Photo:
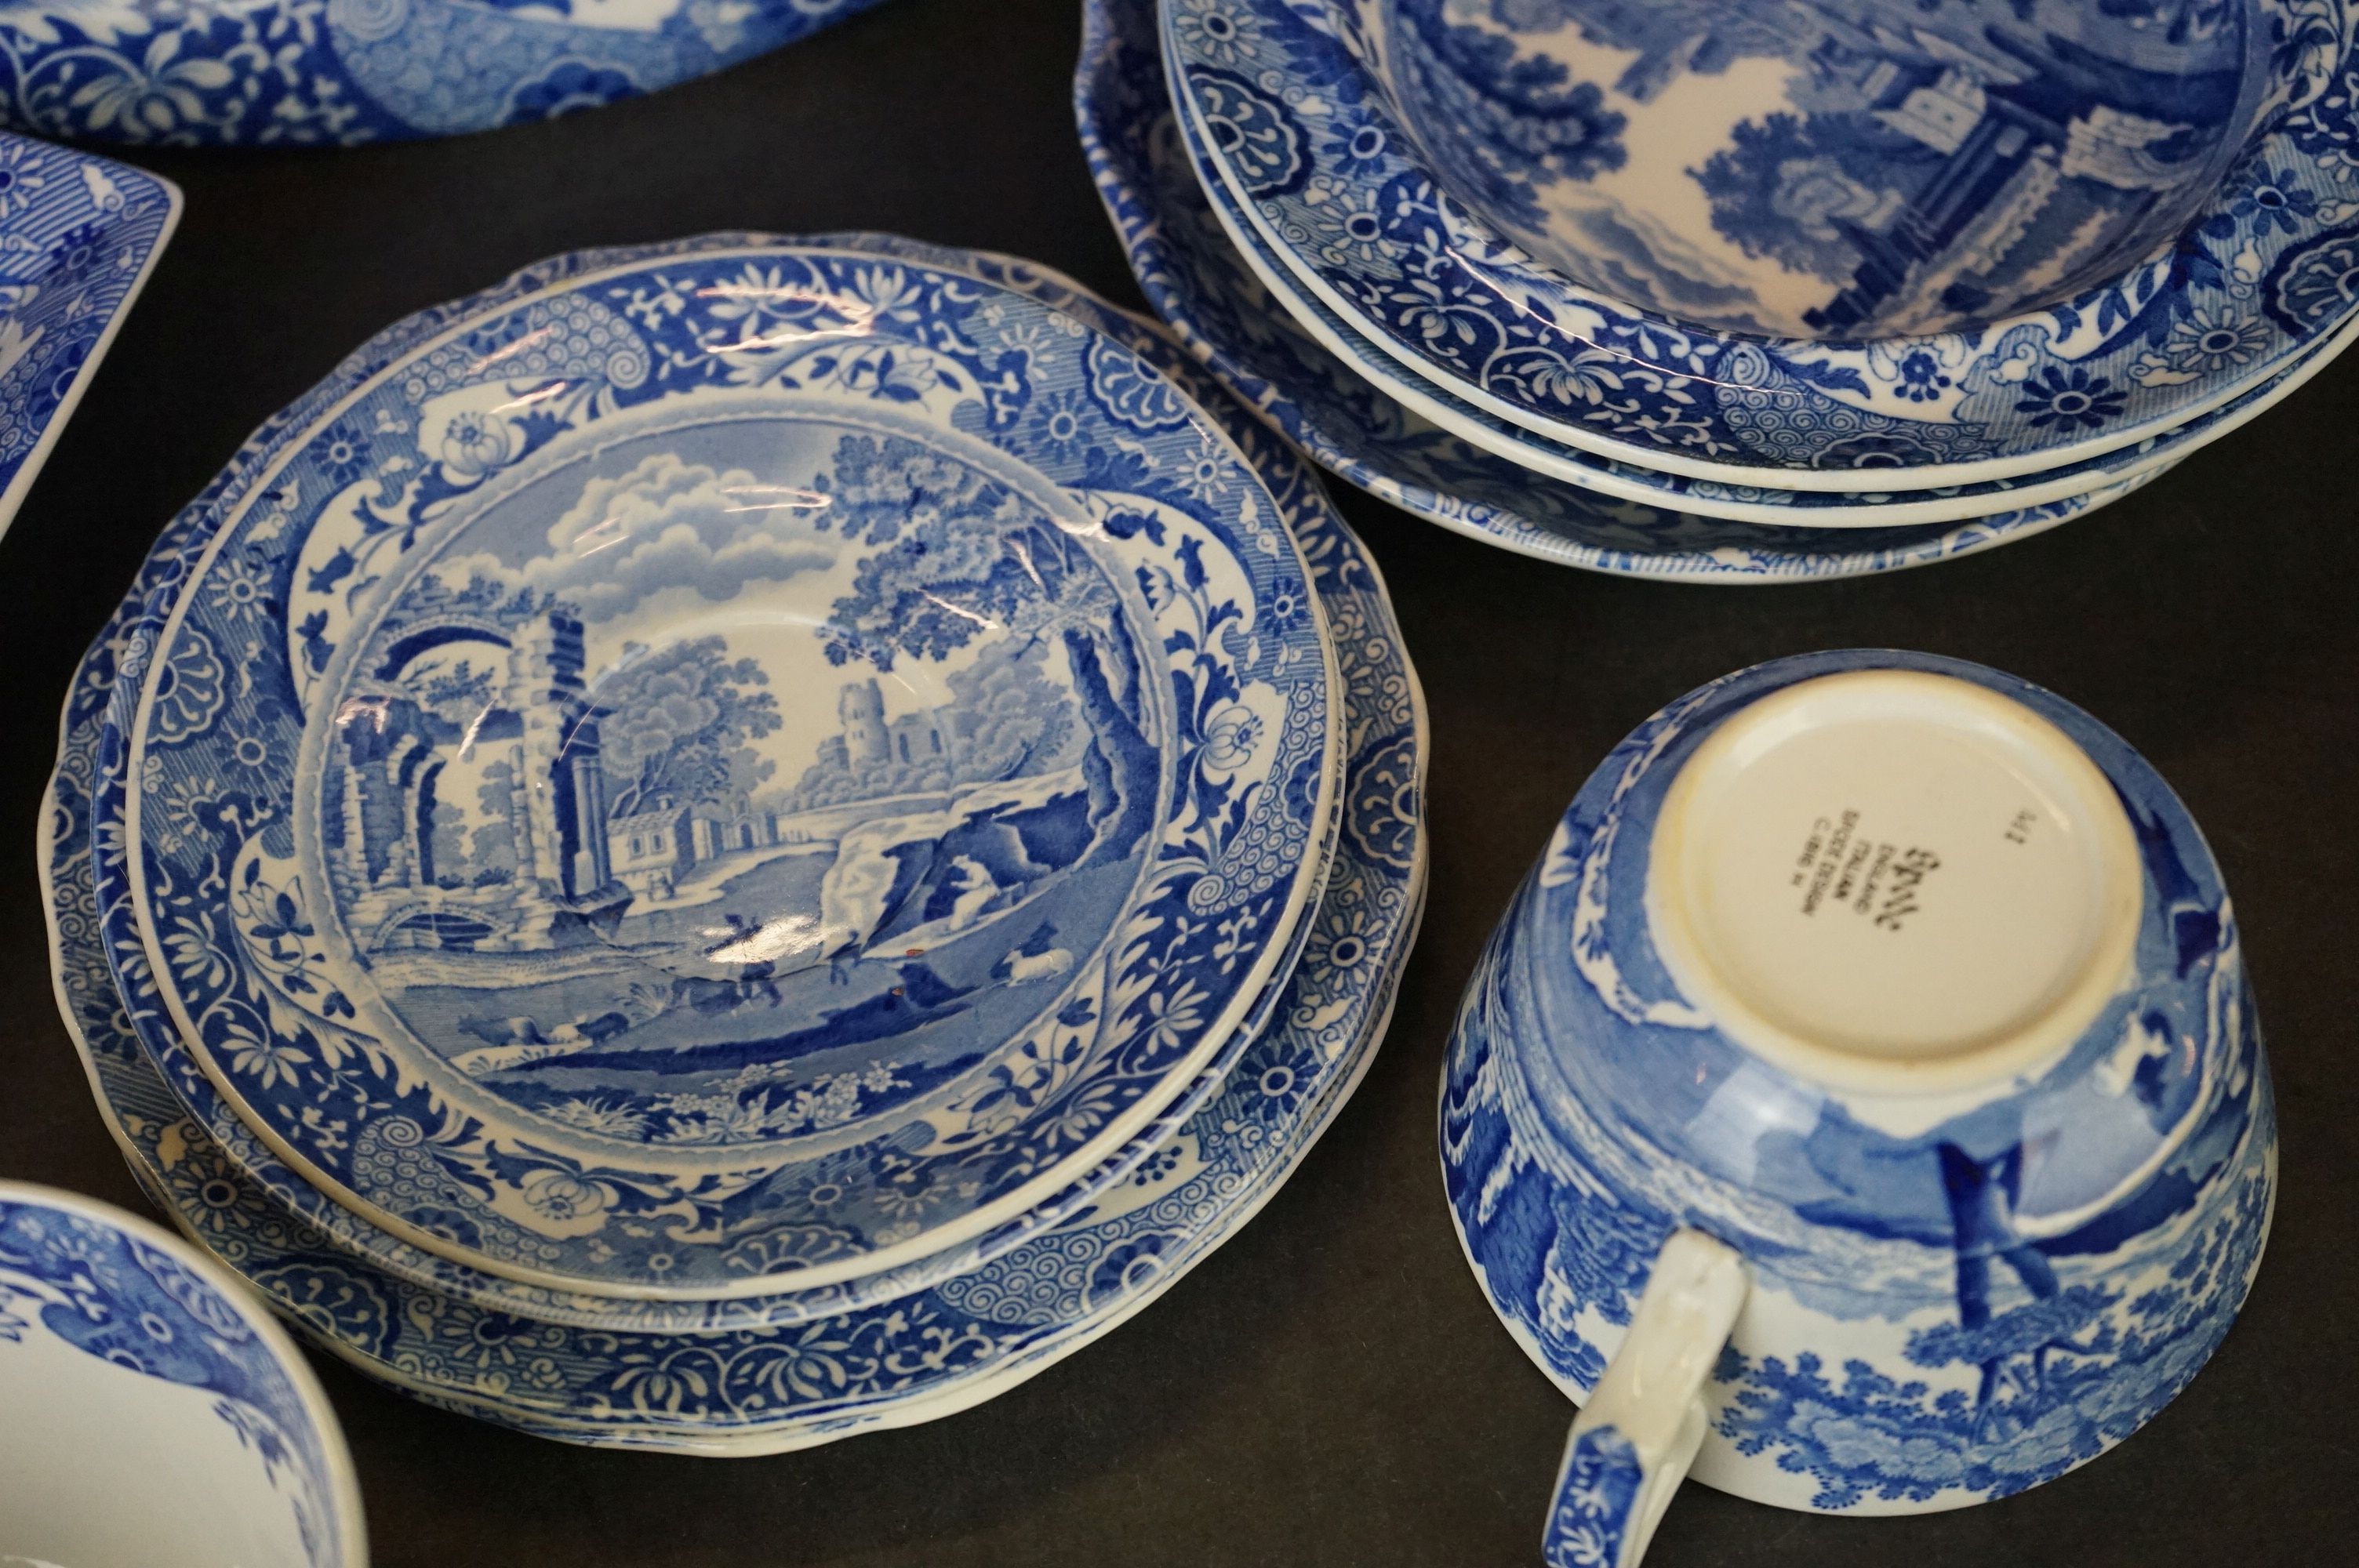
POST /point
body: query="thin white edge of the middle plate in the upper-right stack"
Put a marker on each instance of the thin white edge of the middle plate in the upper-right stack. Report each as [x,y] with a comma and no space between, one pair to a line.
[1709,499]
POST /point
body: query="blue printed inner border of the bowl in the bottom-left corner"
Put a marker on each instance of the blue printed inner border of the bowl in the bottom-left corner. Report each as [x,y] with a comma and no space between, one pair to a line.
[126,1300]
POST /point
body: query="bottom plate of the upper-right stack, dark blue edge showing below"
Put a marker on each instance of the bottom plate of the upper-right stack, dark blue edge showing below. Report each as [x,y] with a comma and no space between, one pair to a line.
[1226,315]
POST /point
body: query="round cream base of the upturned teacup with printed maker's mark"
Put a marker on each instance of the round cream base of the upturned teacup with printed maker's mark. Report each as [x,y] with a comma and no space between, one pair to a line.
[1895,881]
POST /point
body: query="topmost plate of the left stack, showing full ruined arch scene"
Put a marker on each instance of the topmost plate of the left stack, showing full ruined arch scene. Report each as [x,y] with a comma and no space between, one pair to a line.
[850,1003]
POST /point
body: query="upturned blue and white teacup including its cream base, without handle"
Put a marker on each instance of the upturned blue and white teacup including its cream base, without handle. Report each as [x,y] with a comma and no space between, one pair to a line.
[1917,991]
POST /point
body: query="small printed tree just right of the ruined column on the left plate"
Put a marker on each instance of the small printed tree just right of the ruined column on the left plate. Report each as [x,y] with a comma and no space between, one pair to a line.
[676,725]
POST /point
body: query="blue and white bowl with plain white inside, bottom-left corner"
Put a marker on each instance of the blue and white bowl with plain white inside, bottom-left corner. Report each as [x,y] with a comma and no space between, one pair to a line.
[155,1414]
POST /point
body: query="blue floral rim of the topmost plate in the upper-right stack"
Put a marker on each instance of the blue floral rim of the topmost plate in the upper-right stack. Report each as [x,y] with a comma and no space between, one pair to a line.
[1332,185]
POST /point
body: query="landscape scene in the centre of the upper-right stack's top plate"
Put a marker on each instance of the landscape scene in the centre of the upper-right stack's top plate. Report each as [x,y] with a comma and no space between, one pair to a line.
[1862,169]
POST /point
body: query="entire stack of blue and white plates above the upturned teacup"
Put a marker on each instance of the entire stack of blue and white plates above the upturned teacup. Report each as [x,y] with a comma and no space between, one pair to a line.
[1740,291]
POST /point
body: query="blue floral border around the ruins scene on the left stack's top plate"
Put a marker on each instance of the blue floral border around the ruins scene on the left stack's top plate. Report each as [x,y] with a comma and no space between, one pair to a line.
[636,338]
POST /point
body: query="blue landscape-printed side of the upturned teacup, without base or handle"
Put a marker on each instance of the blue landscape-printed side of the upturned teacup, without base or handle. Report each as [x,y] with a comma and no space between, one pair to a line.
[2028,1282]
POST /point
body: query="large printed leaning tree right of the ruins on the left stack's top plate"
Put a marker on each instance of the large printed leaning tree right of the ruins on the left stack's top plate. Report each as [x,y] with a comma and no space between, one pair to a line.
[959,555]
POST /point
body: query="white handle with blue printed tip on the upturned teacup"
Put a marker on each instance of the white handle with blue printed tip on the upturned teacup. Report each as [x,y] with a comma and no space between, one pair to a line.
[1645,1418]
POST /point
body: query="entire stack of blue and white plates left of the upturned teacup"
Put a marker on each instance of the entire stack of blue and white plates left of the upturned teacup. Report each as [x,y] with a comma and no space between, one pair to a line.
[737,841]
